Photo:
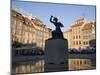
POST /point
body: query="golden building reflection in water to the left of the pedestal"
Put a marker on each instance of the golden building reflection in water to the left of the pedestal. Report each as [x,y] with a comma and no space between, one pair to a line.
[30,67]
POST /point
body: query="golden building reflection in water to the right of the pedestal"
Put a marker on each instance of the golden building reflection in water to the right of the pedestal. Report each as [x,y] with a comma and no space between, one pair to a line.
[79,64]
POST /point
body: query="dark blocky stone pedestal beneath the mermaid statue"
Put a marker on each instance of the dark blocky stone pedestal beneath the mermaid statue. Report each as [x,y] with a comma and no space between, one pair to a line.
[56,55]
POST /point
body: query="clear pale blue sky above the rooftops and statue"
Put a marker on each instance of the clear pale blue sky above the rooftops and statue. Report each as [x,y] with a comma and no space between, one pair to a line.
[66,13]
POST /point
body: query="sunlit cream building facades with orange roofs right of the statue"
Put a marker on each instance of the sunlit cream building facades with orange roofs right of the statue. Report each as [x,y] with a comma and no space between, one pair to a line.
[80,34]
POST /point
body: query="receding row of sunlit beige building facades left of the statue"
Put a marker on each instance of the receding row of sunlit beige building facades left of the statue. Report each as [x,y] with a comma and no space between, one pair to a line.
[28,29]
